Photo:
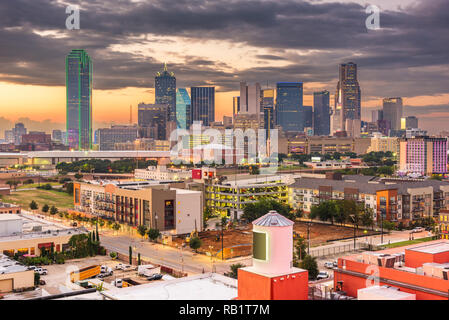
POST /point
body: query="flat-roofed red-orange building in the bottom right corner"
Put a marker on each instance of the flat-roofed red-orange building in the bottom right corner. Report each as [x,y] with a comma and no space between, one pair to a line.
[420,269]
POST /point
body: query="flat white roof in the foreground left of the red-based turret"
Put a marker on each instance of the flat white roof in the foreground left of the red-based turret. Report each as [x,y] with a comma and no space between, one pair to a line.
[207,286]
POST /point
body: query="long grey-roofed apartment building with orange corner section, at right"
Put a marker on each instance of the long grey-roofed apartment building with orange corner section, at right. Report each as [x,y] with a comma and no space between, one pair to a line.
[397,201]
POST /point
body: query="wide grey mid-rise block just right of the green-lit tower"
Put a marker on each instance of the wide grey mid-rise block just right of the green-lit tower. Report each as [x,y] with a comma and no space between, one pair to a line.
[108,137]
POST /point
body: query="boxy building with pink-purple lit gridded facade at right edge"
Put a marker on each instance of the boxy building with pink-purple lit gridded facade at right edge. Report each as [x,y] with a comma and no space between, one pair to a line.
[423,155]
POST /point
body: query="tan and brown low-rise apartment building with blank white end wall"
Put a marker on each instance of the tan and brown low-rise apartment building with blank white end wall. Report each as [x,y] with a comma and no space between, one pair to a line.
[159,206]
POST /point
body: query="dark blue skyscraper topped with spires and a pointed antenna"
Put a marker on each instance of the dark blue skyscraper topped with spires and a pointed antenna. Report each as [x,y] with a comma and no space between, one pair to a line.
[165,91]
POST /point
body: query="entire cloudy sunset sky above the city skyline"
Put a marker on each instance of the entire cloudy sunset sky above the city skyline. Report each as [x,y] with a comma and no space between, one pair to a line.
[221,43]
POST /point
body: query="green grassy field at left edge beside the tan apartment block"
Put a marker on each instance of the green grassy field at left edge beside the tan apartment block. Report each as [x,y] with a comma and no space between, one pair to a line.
[61,200]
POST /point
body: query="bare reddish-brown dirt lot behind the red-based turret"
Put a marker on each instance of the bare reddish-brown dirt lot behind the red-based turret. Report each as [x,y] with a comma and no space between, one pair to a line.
[319,234]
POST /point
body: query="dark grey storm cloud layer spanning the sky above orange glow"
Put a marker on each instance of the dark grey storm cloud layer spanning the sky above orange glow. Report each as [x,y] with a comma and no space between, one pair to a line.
[407,57]
